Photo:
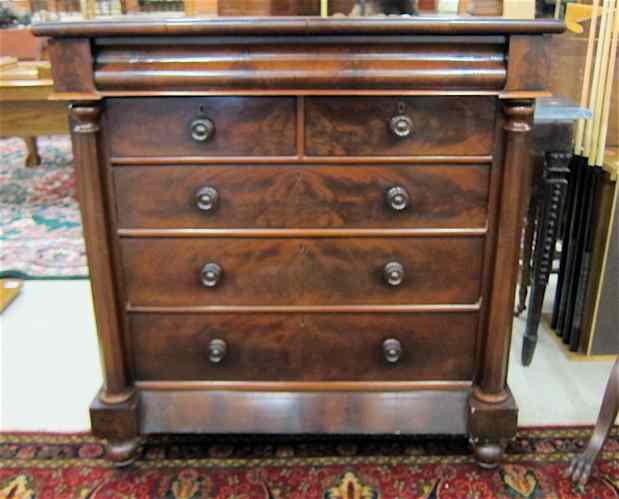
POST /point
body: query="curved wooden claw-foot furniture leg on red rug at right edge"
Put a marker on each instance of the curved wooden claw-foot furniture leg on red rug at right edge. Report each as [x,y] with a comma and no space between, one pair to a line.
[580,468]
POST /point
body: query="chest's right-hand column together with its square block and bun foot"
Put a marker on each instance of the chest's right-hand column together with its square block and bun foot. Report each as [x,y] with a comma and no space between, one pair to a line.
[493,415]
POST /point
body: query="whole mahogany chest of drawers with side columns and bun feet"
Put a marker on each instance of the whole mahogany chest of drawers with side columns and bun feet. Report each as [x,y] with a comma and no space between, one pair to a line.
[303,225]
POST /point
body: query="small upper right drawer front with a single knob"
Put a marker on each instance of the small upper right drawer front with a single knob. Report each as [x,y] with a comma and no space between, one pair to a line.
[392,126]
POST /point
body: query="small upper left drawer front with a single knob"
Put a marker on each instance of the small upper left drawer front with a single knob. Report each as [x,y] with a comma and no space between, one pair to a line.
[173,126]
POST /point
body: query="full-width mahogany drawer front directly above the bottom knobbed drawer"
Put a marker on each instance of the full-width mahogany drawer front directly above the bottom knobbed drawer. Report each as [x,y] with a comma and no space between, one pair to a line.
[323,271]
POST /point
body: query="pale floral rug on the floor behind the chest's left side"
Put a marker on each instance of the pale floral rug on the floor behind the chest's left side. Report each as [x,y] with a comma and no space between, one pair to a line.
[40,228]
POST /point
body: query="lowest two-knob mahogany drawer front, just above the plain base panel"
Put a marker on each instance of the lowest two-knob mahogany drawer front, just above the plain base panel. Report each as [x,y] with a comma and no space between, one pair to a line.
[283,347]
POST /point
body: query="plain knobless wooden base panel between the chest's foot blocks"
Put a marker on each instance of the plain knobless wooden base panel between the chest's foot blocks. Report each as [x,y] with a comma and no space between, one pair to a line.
[418,411]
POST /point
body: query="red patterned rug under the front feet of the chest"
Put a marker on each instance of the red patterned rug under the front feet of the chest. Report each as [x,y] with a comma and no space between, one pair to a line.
[192,467]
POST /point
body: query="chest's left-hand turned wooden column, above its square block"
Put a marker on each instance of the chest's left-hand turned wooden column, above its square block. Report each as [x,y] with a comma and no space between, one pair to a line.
[90,173]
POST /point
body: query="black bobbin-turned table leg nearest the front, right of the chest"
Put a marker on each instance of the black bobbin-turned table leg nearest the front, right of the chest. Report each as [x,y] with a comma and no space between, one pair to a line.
[554,189]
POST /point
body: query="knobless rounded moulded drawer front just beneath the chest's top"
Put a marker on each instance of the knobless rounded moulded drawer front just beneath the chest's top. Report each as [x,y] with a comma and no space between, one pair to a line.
[277,63]
